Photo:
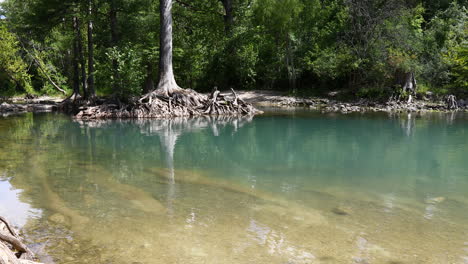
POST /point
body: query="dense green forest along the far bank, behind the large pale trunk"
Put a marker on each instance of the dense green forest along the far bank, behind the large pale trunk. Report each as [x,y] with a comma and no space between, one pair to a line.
[367,48]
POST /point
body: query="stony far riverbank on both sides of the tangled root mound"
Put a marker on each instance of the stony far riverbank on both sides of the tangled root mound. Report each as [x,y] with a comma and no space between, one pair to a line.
[270,98]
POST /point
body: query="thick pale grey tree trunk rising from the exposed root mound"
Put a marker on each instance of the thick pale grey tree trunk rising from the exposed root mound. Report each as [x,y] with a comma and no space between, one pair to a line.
[167,84]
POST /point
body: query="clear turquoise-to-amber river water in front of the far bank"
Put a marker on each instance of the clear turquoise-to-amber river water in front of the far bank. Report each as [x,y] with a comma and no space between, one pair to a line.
[284,187]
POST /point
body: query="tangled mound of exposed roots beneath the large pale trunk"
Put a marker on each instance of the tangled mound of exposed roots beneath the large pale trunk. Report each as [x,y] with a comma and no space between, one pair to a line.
[156,104]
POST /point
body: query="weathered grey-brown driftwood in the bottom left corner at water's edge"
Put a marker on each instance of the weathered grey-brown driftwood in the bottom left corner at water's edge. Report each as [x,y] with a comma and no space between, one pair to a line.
[11,242]
